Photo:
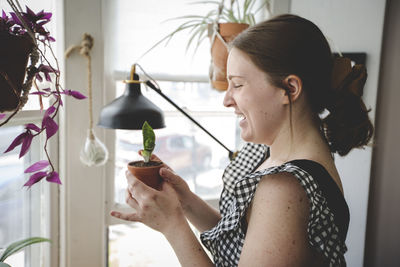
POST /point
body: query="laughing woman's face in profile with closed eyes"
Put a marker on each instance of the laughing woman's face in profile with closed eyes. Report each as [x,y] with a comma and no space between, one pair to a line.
[259,105]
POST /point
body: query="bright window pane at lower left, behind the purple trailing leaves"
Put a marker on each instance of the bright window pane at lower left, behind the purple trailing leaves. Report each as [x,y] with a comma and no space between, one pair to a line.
[24,213]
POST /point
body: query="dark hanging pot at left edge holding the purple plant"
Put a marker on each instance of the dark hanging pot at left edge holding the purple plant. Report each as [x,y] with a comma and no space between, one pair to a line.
[14,55]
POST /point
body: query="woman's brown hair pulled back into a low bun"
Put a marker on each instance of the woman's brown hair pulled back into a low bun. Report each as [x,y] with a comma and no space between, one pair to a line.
[289,44]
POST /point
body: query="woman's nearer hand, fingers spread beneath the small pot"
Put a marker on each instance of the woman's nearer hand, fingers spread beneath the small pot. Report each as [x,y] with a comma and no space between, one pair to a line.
[160,210]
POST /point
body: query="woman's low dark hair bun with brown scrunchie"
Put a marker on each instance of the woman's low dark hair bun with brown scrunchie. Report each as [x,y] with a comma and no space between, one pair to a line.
[348,125]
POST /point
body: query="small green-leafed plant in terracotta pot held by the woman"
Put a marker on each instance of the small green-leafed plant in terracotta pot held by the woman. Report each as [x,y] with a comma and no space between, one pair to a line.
[147,170]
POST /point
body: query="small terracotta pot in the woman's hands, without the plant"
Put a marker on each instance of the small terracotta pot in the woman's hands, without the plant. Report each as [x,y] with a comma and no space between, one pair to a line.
[149,175]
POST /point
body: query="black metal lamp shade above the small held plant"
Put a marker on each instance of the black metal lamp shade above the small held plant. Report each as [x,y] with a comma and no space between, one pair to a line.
[131,110]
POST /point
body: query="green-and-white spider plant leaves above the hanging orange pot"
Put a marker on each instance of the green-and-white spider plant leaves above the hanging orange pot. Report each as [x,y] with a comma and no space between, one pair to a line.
[236,11]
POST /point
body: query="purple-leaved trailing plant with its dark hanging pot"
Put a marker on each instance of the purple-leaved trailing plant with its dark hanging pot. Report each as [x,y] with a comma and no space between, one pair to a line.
[24,64]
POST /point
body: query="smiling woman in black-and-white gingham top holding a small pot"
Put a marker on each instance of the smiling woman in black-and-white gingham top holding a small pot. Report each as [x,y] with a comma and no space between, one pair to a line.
[282,202]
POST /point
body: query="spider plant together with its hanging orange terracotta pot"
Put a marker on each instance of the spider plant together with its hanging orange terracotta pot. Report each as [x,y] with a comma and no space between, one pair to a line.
[221,25]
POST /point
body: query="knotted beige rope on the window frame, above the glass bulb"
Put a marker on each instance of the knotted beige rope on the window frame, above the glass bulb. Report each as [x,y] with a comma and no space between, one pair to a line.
[84,49]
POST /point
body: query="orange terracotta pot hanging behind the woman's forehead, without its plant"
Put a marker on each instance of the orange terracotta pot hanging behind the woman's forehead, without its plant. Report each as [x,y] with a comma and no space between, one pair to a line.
[219,52]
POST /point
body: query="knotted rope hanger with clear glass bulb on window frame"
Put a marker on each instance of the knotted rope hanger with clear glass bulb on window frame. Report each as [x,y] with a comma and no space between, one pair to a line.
[94,152]
